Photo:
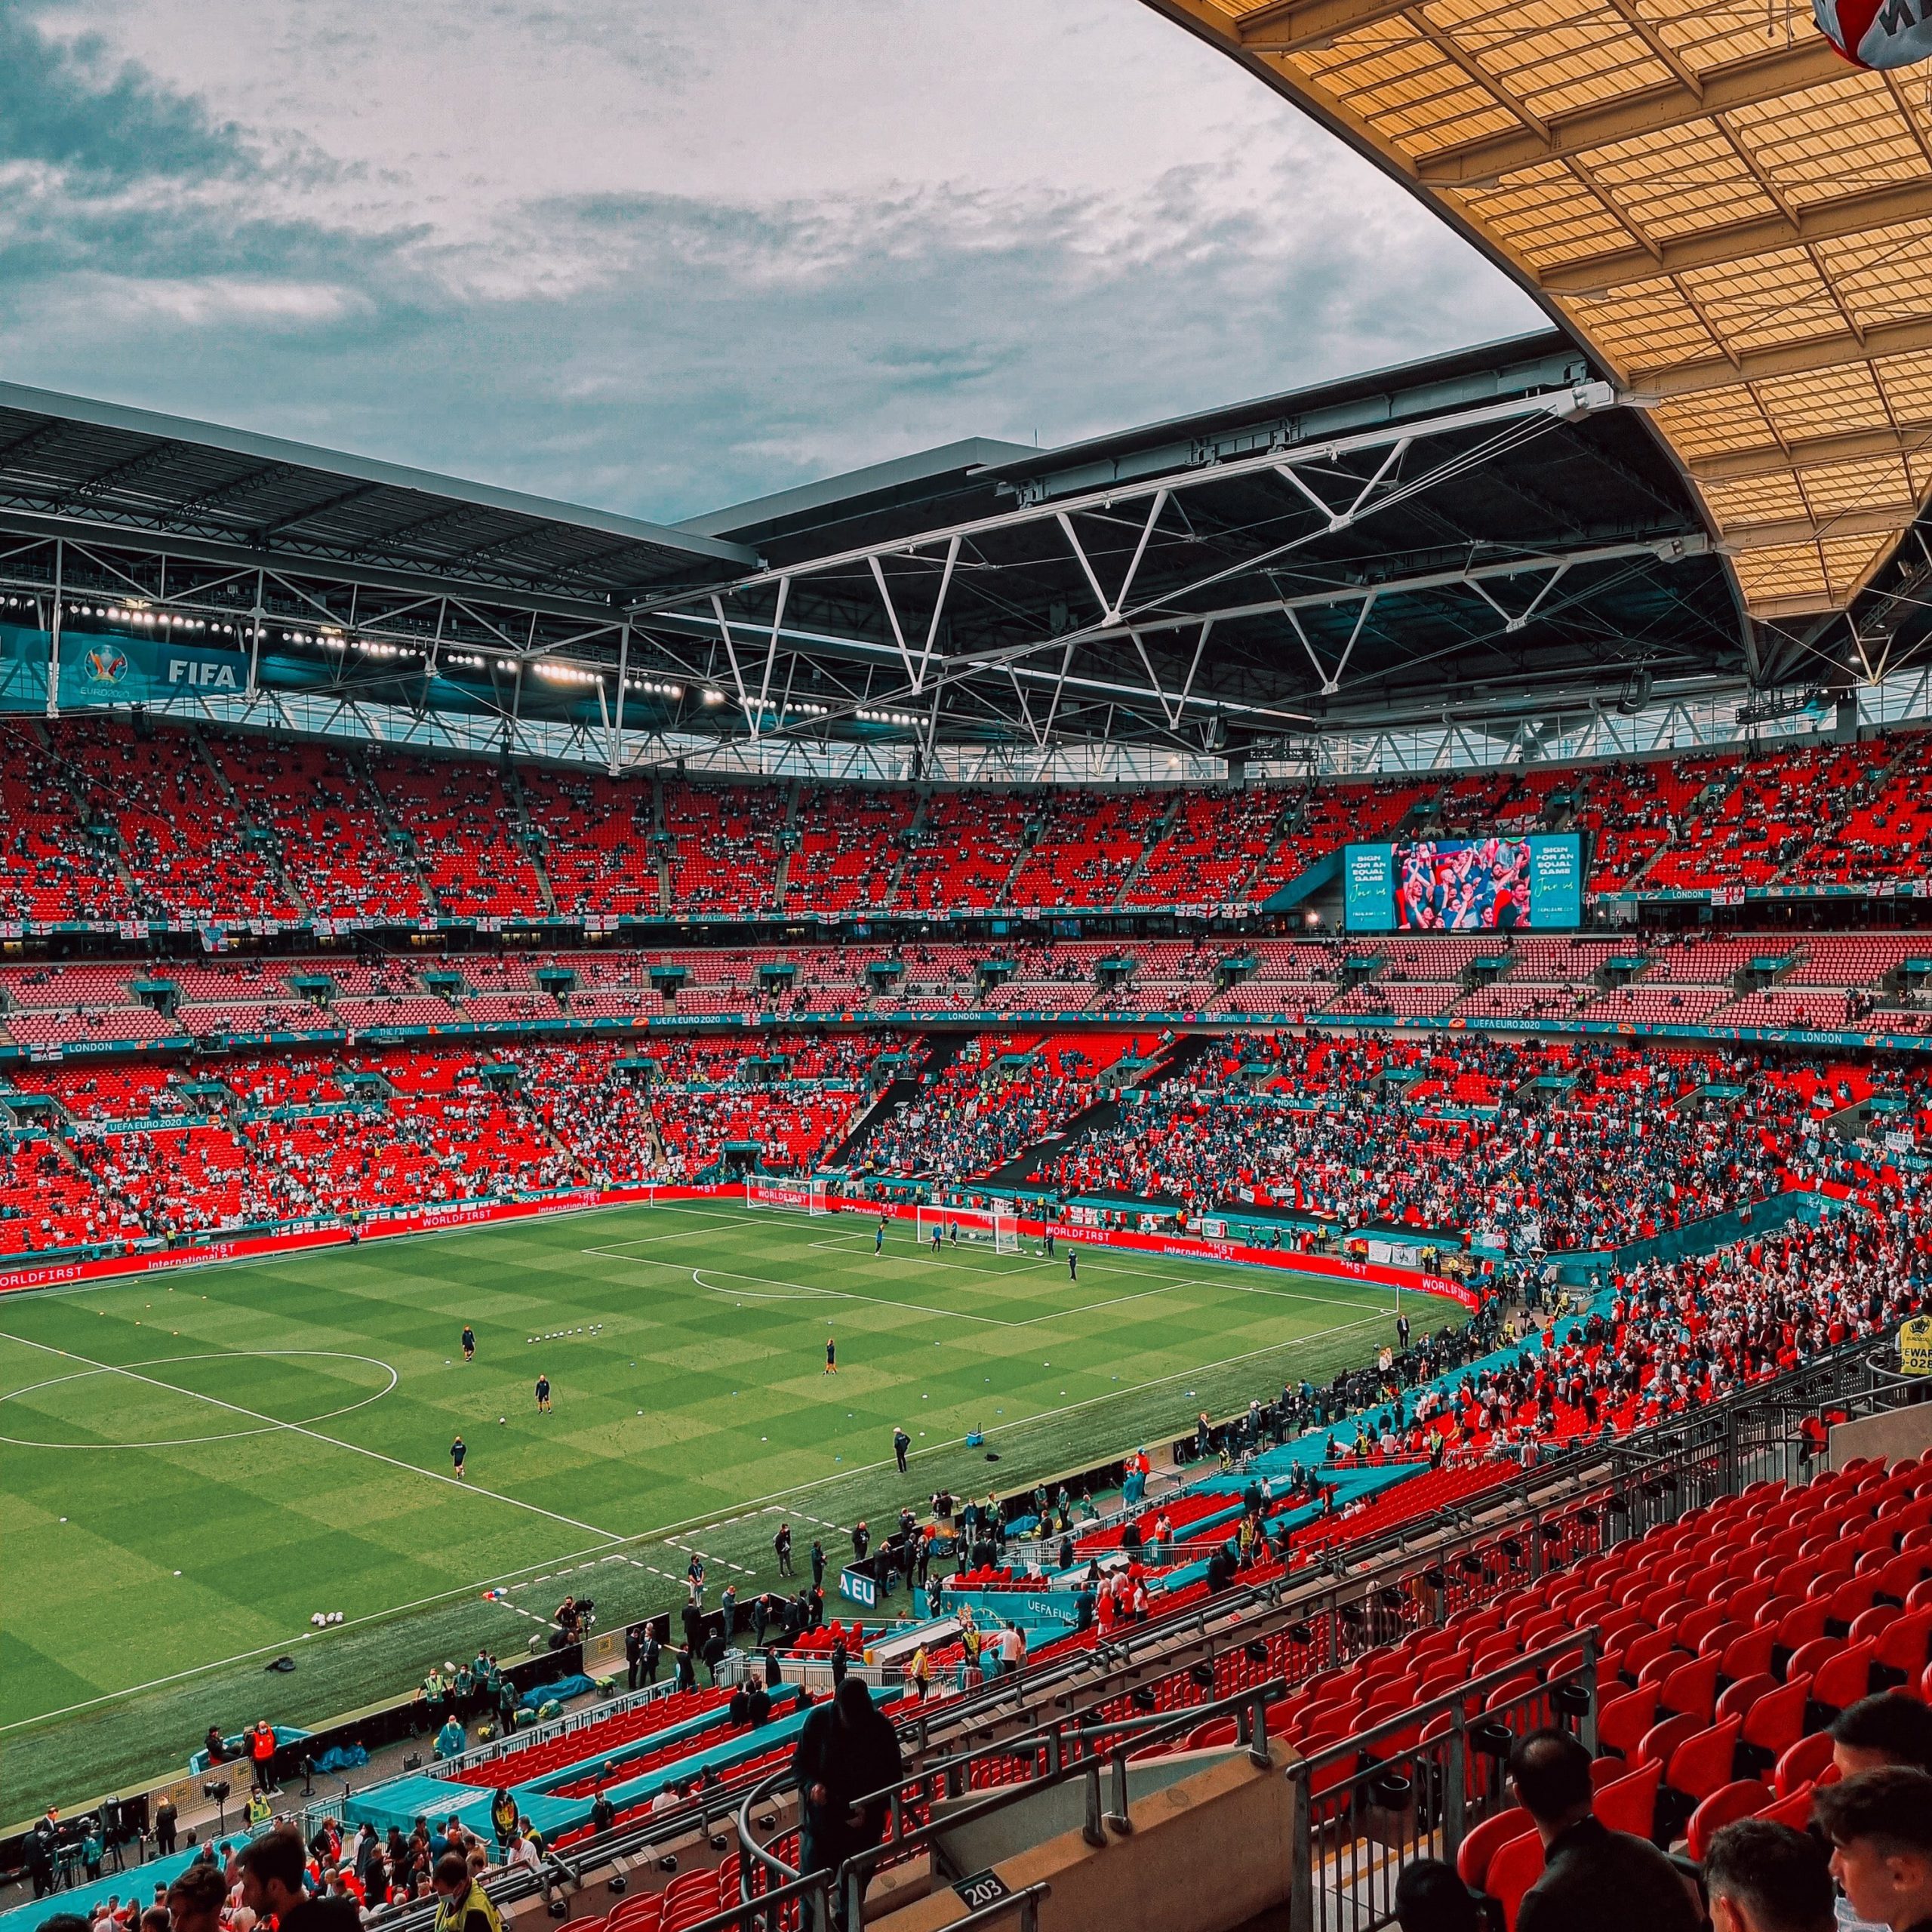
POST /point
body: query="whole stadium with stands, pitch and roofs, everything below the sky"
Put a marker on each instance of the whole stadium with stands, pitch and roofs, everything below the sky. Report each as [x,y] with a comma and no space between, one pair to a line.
[1228,1116]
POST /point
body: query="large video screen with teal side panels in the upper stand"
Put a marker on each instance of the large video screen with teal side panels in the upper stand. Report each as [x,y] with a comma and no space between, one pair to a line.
[1465,886]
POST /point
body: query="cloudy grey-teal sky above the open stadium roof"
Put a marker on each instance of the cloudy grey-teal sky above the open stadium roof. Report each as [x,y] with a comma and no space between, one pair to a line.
[666,258]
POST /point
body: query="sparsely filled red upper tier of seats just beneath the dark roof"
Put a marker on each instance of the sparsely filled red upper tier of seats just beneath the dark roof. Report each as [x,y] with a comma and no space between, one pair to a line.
[107,822]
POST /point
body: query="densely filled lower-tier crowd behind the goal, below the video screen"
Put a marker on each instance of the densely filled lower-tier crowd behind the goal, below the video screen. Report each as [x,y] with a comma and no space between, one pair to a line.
[1512,1143]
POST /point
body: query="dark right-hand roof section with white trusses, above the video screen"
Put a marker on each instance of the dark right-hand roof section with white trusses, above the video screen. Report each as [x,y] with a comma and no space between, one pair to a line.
[1489,532]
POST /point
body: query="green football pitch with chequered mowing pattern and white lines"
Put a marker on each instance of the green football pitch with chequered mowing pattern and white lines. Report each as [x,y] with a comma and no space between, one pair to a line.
[196,1463]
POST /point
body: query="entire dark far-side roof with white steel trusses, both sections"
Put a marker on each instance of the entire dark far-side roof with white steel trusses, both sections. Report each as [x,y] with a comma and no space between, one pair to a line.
[1487,536]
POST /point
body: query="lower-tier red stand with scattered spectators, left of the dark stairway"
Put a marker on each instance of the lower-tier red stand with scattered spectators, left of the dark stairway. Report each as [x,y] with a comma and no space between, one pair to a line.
[148,1152]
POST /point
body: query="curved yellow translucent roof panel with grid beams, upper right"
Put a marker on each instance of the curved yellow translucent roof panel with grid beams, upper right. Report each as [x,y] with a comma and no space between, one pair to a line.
[1734,219]
